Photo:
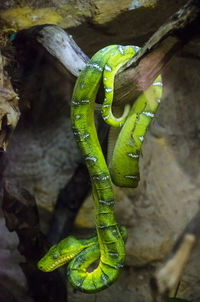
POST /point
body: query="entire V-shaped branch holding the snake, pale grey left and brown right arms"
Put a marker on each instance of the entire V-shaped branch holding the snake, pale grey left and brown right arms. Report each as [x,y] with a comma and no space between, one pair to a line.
[139,73]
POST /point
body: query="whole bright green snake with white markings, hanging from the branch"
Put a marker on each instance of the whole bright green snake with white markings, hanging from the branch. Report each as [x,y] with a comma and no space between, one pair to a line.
[107,245]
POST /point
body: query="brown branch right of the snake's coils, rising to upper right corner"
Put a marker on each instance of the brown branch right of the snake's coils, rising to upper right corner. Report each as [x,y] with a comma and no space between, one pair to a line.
[140,72]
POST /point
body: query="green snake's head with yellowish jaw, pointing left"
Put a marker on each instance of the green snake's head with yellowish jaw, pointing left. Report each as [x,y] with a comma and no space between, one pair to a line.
[60,254]
